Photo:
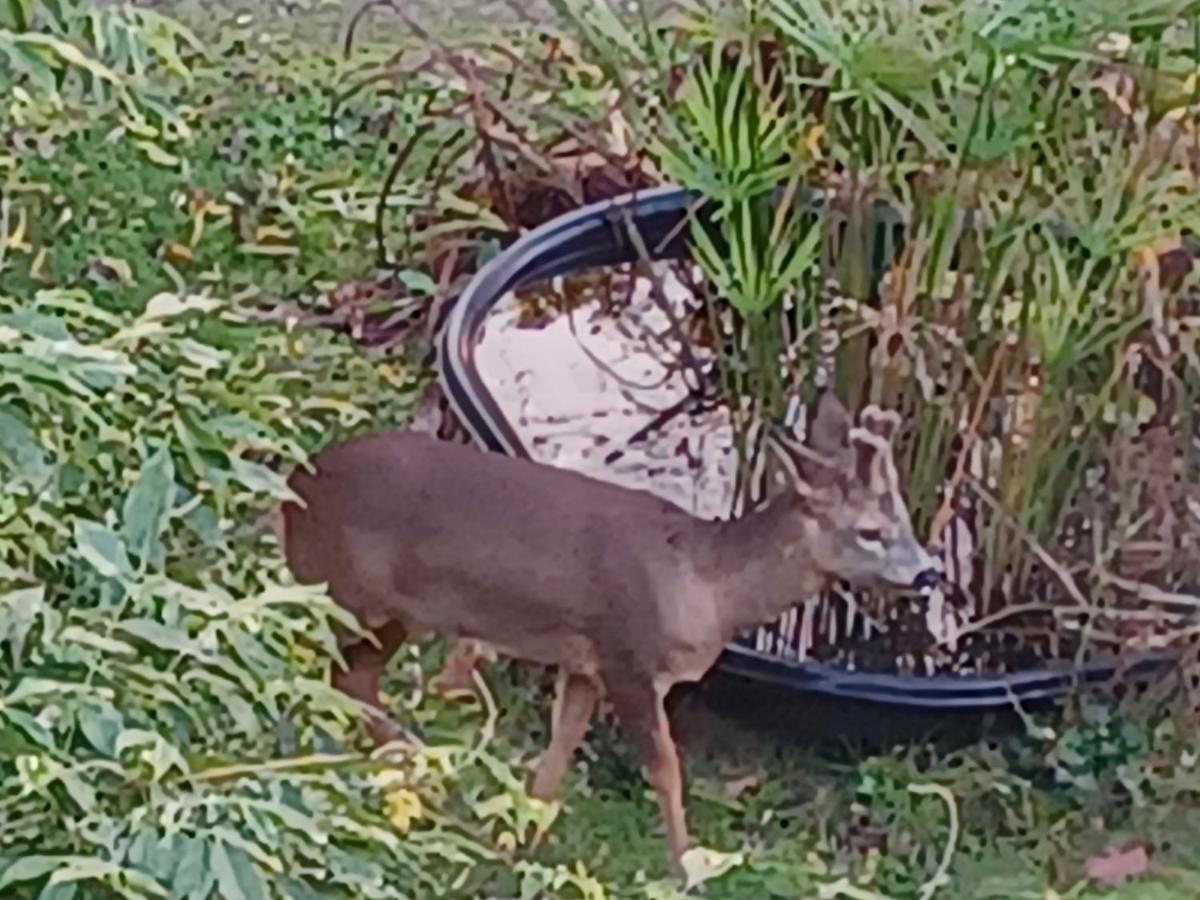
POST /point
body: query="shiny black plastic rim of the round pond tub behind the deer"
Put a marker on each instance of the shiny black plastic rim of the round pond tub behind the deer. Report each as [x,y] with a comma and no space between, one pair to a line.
[599,236]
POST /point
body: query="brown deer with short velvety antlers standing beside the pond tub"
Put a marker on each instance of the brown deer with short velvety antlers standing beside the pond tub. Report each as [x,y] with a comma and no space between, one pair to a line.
[625,593]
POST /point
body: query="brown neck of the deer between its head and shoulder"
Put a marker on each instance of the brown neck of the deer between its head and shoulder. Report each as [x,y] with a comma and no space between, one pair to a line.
[764,565]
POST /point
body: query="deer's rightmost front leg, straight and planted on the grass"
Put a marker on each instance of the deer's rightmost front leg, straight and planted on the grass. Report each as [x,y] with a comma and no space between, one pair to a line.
[645,721]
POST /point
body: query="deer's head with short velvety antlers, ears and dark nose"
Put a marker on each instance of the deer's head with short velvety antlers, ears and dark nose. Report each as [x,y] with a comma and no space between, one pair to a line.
[847,481]
